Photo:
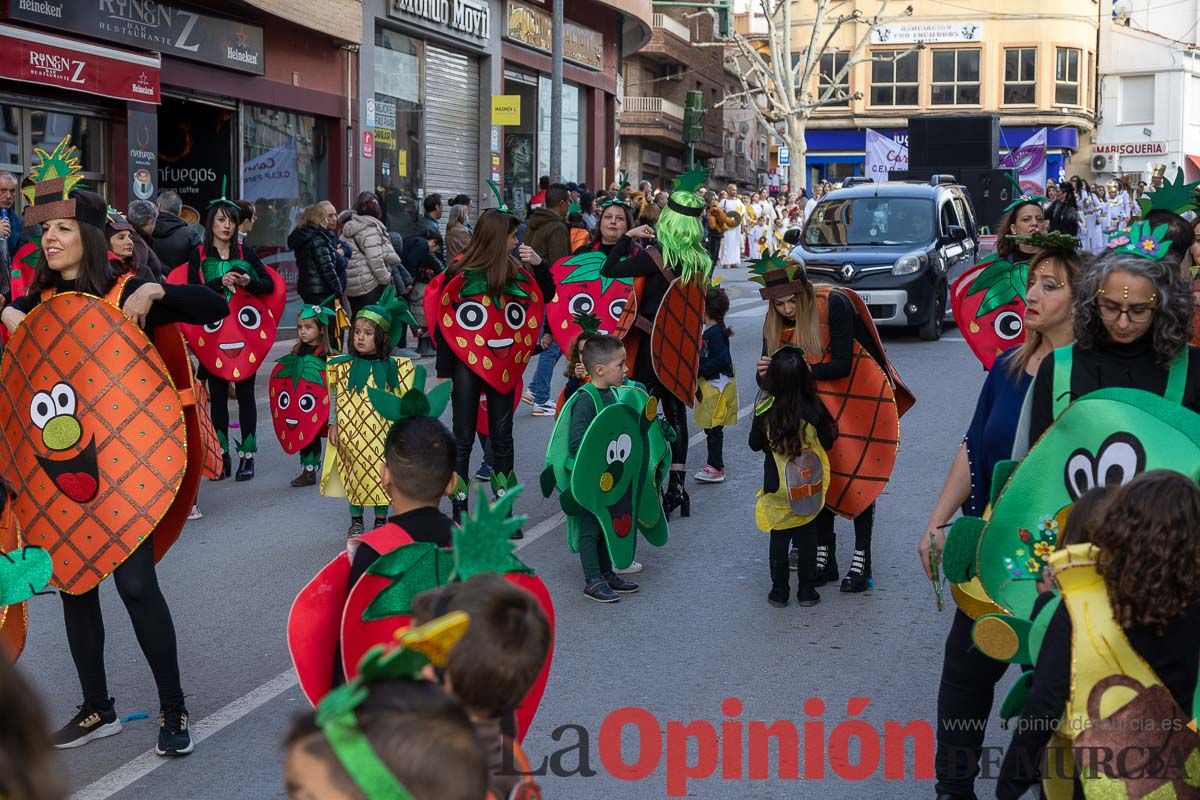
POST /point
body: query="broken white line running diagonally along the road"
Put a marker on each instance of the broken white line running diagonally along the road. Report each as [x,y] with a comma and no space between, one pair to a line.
[148,762]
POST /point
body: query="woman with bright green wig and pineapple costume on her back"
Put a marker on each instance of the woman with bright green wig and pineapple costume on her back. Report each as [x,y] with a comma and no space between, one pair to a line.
[663,338]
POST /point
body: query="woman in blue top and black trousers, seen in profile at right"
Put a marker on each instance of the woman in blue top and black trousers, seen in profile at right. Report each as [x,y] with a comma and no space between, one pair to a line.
[969,678]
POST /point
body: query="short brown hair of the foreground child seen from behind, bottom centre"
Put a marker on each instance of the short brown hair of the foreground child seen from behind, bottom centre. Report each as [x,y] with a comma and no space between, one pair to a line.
[500,658]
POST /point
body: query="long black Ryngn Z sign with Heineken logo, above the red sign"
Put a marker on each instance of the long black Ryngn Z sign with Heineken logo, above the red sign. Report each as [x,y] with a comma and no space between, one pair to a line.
[153,26]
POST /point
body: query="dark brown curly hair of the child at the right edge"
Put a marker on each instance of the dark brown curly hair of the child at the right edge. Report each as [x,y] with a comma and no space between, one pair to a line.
[1150,554]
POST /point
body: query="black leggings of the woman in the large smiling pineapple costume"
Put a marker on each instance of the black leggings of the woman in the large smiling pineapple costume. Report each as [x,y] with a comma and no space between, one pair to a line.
[139,587]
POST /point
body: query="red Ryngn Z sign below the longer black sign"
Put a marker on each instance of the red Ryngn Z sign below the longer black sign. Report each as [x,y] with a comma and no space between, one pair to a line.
[56,62]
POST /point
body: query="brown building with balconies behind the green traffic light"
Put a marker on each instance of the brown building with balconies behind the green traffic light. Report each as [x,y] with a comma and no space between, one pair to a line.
[656,85]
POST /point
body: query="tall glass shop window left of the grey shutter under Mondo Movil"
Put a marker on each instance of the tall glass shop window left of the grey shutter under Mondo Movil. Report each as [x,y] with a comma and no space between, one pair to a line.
[399,129]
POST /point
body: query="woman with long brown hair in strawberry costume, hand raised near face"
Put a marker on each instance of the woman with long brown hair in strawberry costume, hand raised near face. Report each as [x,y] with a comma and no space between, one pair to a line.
[487,314]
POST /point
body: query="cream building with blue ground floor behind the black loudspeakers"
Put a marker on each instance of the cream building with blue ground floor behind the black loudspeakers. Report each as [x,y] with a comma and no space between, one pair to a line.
[1031,62]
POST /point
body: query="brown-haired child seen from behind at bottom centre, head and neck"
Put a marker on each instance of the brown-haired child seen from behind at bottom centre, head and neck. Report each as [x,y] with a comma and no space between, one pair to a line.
[493,667]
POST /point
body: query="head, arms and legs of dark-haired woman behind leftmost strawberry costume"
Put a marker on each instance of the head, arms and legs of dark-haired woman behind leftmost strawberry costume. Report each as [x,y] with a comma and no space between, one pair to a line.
[226,266]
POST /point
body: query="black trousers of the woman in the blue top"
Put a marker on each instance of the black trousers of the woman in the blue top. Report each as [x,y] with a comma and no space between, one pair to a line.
[964,705]
